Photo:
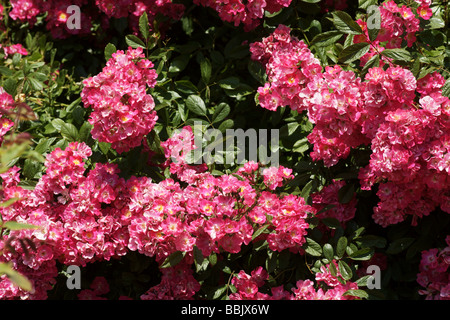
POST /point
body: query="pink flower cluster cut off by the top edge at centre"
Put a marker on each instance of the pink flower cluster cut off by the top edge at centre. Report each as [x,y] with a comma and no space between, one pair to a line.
[249,13]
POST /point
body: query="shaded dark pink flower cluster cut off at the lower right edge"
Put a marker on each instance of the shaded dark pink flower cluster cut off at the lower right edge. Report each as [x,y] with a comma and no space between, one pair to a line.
[434,273]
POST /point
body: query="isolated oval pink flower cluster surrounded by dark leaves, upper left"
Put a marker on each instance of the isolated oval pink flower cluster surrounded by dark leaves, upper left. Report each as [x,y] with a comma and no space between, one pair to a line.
[123,113]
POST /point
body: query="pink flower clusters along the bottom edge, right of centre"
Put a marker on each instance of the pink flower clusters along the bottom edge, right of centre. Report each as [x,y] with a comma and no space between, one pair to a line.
[330,288]
